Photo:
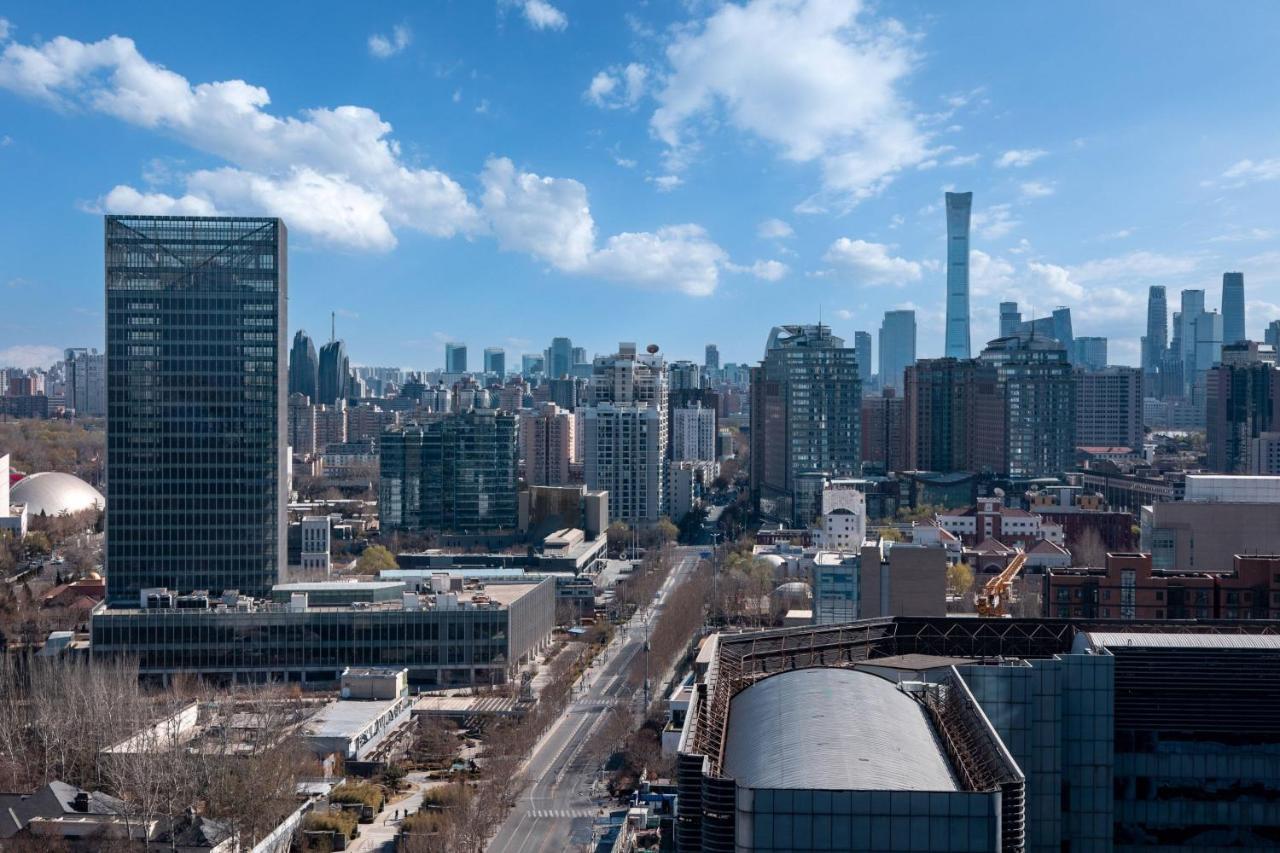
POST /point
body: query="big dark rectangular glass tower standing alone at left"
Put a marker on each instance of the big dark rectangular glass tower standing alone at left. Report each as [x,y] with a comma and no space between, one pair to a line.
[196,464]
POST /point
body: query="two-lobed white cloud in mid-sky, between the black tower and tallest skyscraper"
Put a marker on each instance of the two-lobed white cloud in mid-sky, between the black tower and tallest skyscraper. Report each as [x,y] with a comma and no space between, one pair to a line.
[551,220]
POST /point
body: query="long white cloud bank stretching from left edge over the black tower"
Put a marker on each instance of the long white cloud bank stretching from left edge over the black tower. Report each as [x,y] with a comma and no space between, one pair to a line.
[285,165]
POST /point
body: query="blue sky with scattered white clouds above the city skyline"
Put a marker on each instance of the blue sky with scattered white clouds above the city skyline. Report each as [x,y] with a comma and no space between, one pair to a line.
[673,172]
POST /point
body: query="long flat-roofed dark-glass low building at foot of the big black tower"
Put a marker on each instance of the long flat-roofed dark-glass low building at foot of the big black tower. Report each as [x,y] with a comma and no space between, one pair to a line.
[479,636]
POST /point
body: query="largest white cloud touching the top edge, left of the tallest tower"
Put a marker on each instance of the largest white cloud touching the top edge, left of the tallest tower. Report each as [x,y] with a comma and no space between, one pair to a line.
[816,79]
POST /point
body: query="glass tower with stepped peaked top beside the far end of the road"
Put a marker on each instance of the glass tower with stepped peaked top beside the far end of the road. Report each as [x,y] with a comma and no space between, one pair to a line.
[806,414]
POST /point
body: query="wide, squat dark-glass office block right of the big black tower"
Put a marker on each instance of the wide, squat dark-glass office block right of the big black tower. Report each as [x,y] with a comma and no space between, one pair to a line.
[454,475]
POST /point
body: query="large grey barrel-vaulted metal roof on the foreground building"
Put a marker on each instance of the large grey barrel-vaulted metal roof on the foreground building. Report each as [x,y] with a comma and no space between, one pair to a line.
[829,729]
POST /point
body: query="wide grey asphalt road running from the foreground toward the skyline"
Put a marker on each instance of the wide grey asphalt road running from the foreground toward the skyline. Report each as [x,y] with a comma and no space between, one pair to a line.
[556,810]
